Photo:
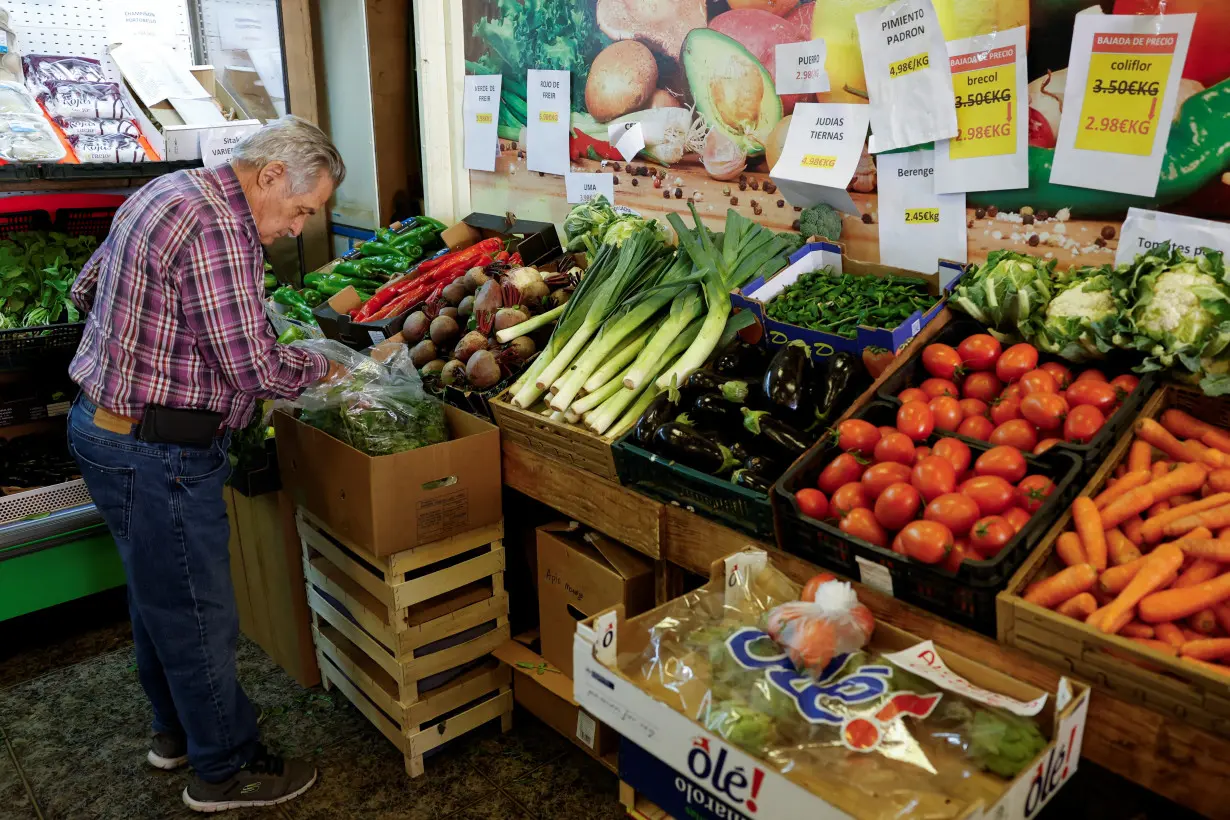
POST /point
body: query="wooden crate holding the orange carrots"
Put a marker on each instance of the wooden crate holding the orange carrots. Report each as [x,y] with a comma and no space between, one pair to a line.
[1131,671]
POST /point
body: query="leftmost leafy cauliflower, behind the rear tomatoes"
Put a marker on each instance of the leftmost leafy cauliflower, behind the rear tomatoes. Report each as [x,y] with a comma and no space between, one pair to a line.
[1006,293]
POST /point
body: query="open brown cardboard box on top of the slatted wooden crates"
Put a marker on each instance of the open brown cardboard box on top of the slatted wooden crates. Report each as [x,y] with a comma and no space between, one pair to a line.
[387,505]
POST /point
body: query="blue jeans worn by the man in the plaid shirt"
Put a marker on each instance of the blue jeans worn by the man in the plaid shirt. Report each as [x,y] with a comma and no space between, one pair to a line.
[164,507]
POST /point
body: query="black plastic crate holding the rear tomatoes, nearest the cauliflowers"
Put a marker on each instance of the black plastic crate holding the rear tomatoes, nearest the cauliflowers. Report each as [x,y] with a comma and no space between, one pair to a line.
[1093,454]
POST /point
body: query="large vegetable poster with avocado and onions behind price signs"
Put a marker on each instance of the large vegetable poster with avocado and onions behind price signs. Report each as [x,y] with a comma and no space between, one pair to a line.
[702,79]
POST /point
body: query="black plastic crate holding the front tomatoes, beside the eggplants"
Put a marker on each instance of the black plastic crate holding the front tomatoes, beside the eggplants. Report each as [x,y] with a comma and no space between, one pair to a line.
[966,597]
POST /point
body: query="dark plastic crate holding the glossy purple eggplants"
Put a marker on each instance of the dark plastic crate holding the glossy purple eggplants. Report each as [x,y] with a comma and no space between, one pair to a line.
[709,496]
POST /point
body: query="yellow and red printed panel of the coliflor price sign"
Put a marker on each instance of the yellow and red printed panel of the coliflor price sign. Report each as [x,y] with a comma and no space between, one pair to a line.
[1125,93]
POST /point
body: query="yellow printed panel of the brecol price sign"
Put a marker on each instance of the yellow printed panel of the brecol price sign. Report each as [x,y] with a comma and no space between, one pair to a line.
[985,87]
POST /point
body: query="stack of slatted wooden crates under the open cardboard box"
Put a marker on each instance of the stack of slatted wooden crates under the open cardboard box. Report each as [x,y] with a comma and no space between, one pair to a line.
[408,637]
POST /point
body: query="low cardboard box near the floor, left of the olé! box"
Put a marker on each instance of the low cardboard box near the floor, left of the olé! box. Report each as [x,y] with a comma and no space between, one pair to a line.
[547,694]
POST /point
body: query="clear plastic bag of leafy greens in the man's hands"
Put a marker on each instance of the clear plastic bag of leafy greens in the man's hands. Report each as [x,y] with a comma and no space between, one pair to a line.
[378,408]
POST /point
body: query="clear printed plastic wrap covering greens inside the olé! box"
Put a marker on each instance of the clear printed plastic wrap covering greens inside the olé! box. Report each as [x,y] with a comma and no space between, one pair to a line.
[864,735]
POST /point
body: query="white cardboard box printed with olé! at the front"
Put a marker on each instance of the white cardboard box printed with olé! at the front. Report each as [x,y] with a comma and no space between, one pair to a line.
[691,773]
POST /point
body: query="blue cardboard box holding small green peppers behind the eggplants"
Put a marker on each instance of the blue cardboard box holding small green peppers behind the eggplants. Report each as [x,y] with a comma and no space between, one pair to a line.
[815,256]
